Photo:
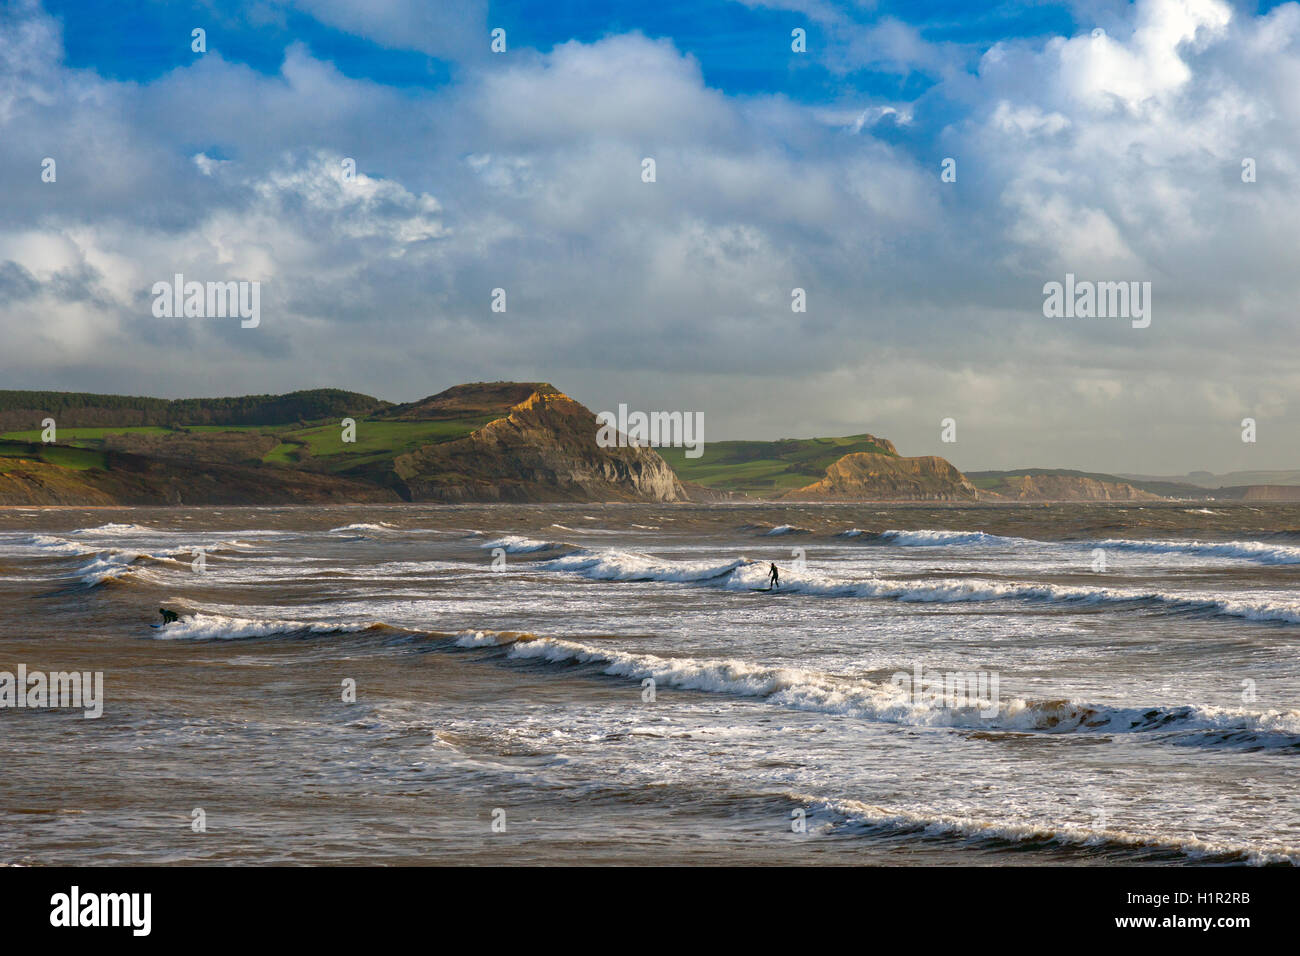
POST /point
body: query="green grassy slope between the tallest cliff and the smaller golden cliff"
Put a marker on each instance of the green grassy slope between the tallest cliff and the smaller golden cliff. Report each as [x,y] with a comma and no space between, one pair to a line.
[766,469]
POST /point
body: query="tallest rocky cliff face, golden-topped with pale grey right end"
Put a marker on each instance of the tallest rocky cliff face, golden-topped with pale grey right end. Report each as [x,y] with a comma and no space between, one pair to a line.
[543,451]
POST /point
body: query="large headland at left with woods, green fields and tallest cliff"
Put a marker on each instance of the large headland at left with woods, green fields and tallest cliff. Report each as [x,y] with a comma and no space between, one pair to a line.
[484,442]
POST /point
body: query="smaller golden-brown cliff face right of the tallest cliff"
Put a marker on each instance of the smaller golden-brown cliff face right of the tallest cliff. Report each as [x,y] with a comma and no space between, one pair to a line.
[865,477]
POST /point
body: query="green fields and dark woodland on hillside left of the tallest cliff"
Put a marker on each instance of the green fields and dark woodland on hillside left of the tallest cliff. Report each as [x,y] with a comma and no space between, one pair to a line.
[294,435]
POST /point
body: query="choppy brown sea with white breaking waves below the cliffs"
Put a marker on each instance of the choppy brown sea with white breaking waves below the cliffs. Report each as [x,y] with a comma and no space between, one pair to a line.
[994,685]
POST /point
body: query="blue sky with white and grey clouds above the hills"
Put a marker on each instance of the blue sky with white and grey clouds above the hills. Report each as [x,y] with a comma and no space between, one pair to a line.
[1100,140]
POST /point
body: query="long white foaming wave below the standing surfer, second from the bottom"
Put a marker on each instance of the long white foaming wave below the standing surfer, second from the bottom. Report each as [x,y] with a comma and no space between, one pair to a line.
[886,702]
